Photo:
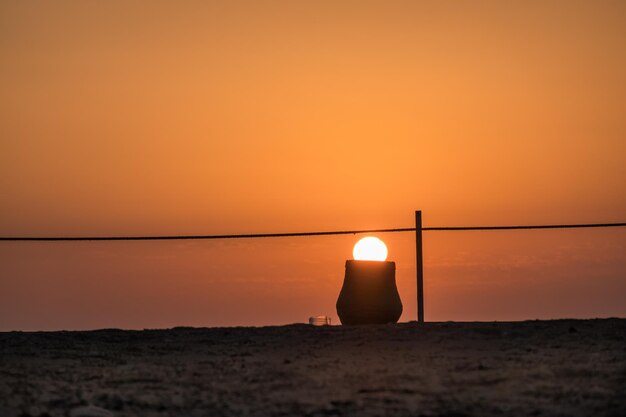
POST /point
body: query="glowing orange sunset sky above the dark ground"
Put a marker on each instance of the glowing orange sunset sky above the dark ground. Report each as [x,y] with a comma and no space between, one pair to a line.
[149,117]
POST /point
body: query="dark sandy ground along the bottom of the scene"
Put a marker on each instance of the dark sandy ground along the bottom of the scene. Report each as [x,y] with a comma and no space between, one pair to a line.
[538,368]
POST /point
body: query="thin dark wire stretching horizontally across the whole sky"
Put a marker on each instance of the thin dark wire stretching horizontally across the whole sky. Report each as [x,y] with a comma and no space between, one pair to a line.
[340,232]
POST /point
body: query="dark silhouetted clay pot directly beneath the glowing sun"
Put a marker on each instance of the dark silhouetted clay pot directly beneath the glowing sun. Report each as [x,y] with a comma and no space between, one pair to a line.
[369,294]
